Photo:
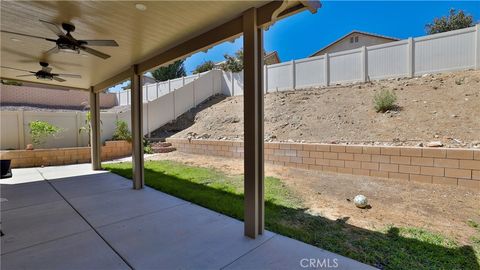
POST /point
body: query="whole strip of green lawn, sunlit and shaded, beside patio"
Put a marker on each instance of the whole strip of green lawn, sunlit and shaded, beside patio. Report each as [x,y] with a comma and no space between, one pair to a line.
[389,248]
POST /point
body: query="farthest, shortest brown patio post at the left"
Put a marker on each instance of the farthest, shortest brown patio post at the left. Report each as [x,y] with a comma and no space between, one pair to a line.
[95,140]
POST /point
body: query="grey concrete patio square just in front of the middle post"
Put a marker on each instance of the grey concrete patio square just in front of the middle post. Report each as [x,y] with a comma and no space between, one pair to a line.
[110,207]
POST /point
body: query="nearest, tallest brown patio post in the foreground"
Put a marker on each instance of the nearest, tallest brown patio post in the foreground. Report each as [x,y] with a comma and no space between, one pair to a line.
[253,125]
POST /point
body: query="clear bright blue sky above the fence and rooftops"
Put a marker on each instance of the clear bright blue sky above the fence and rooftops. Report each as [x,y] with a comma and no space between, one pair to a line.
[302,34]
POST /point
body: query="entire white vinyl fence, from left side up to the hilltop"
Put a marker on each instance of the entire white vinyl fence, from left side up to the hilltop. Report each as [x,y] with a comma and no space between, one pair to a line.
[165,101]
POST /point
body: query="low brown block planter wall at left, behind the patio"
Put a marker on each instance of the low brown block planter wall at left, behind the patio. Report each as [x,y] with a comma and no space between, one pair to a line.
[62,156]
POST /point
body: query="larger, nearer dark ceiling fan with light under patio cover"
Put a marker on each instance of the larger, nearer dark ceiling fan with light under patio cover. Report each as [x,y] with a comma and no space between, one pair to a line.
[67,43]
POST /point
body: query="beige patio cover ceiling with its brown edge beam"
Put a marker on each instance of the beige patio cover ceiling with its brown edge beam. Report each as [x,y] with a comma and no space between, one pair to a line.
[164,32]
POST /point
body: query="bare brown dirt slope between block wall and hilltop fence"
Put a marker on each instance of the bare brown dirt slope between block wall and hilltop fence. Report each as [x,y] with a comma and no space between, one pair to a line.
[441,107]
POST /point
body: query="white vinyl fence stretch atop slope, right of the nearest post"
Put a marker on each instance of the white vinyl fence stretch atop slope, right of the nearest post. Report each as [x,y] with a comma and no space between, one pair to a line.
[449,51]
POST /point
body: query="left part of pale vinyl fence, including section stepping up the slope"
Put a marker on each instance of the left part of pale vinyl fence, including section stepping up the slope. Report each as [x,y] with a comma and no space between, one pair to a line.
[14,132]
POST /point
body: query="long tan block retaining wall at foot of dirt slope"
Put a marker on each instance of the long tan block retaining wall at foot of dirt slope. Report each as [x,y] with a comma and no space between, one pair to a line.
[430,165]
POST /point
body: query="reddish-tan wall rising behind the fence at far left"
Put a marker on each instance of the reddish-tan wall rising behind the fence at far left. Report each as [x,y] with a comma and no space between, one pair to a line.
[28,95]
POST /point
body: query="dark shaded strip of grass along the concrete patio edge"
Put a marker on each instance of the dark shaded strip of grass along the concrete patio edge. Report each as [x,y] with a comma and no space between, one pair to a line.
[388,250]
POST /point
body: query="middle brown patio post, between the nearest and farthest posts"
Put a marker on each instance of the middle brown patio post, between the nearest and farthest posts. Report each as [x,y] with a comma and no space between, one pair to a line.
[137,128]
